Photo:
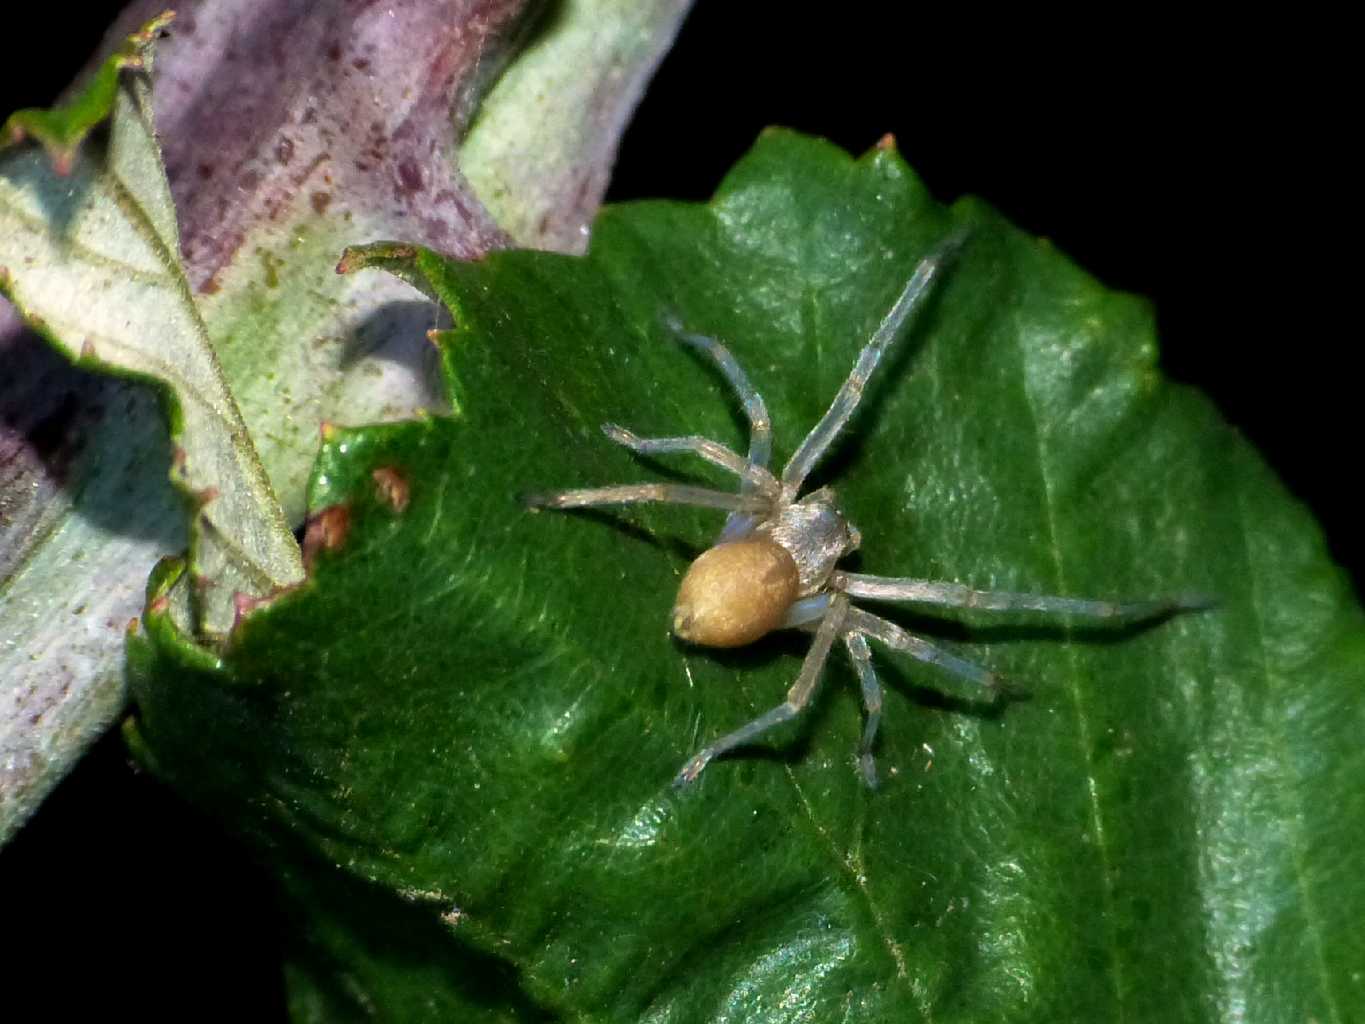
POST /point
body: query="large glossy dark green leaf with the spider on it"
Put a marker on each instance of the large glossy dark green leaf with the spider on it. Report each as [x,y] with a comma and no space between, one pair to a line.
[468,720]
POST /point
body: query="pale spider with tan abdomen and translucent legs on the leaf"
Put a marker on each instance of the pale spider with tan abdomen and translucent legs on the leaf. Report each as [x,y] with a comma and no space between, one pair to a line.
[775,565]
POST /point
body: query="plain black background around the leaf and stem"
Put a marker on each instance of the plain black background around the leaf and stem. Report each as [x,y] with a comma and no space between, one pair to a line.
[1203,166]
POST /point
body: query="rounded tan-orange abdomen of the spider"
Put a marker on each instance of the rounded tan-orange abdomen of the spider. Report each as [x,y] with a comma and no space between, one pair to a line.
[736,593]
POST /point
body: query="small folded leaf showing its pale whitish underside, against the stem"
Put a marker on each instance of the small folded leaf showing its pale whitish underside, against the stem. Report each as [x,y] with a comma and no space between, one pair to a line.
[91,259]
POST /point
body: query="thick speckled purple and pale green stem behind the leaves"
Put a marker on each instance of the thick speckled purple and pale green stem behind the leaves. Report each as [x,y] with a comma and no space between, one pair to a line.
[290,130]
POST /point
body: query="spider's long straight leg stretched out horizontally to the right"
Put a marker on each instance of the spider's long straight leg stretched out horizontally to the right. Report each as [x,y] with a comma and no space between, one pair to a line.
[919,592]
